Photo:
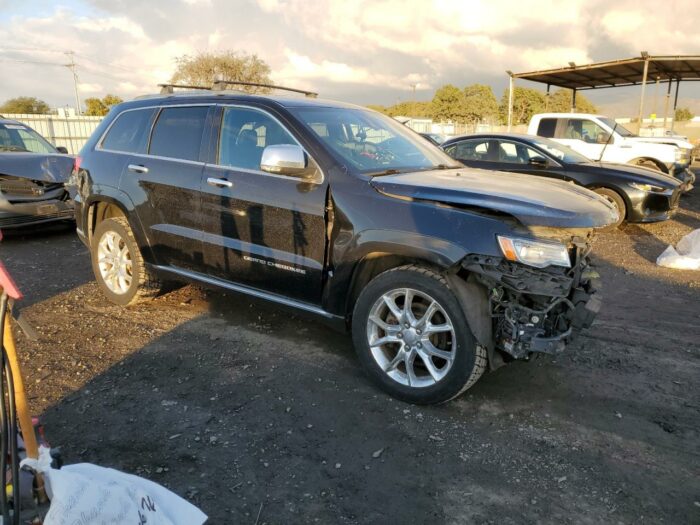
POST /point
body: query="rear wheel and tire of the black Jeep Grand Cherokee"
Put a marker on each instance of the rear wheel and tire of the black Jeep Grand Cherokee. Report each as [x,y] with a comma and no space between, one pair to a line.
[118,265]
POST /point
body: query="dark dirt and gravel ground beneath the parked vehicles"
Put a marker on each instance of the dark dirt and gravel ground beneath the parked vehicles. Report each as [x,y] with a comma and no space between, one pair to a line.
[258,415]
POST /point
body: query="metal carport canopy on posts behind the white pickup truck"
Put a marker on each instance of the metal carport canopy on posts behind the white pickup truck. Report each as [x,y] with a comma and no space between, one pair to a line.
[616,73]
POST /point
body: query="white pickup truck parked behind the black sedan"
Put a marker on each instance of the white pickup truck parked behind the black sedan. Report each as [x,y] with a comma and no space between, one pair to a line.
[601,138]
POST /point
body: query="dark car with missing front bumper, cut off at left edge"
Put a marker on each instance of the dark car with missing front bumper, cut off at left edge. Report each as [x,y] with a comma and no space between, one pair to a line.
[32,178]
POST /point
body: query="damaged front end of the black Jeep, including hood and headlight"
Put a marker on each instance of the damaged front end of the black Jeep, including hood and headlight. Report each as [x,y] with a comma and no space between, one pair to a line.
[527,286]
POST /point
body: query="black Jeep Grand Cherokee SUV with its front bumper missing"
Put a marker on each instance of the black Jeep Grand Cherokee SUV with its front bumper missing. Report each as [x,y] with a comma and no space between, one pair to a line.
[440,270]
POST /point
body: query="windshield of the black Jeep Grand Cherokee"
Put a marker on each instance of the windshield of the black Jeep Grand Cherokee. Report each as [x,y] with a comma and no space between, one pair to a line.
[373,143]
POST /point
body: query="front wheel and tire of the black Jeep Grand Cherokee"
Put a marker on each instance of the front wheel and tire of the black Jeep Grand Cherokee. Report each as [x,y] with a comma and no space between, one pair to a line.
[412,338]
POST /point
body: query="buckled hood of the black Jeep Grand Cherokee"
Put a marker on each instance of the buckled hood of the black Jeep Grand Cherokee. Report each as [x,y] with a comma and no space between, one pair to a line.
[534,201]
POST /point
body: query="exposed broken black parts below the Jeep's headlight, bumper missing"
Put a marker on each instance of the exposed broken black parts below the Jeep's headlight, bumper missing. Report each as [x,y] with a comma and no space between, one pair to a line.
[533,309]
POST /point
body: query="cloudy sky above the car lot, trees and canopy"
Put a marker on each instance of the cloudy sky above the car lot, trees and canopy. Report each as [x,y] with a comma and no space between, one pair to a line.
[362,51]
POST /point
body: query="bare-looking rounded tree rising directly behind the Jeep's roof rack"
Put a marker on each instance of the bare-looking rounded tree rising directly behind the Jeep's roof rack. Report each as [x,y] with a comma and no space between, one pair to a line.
[204,69]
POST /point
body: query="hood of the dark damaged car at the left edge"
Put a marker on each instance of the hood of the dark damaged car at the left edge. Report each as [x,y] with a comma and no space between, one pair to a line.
[45,167]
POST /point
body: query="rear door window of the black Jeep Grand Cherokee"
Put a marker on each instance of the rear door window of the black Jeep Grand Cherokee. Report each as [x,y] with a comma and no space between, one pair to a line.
[177,134]
